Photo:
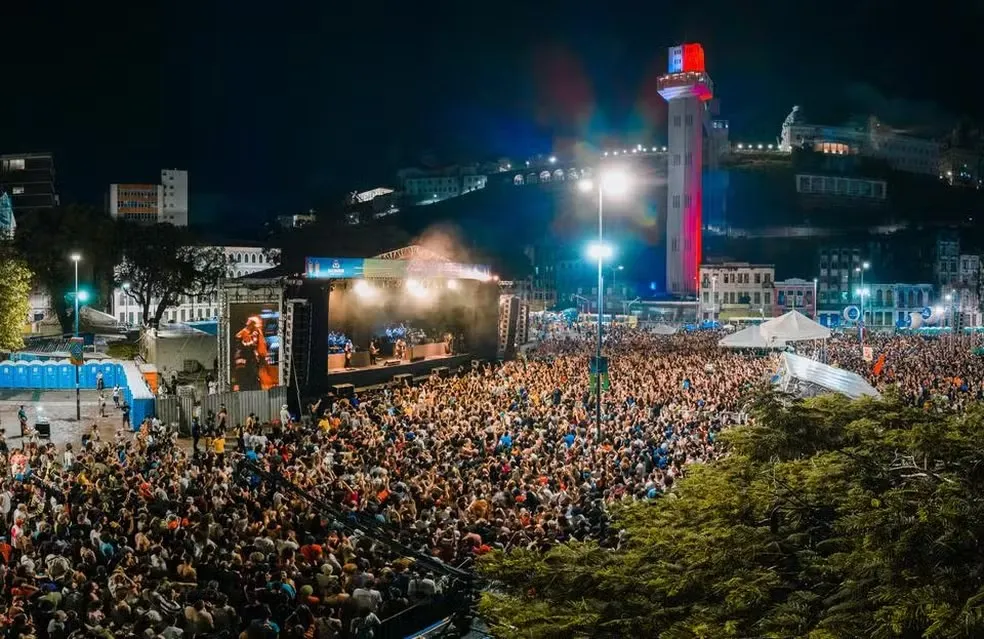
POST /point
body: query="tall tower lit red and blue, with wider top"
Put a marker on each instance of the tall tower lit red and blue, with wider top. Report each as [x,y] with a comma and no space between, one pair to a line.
[686,87]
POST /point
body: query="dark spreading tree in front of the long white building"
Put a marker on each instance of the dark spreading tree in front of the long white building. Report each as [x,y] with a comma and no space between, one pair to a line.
[162,263]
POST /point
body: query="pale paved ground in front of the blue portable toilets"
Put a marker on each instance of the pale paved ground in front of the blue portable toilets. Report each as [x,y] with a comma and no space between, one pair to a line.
[59,407]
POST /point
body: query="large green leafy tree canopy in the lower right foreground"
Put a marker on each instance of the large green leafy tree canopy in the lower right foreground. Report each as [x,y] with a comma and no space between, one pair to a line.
[828,519]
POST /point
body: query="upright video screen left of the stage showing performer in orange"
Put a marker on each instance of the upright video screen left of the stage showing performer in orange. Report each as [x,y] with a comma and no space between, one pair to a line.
[254,349]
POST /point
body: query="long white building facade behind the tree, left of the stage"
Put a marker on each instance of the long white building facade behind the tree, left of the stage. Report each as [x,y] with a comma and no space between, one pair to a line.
[241,261]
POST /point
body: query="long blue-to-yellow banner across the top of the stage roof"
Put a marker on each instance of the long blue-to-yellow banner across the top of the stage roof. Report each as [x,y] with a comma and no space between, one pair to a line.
[339,268]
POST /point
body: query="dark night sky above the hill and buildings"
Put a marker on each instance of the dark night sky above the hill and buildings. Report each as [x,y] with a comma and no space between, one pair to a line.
[274,107]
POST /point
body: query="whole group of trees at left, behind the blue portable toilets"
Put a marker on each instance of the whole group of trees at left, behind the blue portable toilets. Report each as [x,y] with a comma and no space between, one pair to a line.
[160,263]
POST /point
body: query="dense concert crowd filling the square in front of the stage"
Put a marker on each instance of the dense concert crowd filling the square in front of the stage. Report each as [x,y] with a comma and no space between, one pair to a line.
[140,537]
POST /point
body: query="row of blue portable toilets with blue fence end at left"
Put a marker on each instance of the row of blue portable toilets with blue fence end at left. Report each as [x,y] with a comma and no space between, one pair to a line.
[52,375]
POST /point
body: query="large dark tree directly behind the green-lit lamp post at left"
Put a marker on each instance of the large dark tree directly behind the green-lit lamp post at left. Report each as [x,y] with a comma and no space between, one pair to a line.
[46,238]
